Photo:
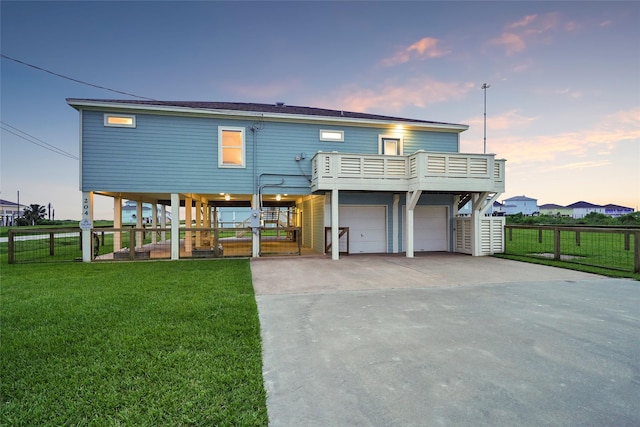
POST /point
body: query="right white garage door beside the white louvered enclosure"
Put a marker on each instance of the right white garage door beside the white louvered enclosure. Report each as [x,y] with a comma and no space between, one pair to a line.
[430,229]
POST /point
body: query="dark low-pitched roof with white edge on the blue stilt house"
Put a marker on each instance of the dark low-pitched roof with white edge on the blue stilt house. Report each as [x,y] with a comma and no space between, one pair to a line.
[279,109]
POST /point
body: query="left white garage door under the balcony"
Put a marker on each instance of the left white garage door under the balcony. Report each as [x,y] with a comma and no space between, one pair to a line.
[367,228]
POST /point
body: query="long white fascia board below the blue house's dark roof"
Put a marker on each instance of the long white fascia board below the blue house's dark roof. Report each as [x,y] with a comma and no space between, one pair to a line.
[80,103]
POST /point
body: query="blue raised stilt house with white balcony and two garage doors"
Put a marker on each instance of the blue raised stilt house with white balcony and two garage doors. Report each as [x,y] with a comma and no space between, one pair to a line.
[396,183]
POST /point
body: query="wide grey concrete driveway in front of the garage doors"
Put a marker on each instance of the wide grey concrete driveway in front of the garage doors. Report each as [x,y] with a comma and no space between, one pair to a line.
[446,339]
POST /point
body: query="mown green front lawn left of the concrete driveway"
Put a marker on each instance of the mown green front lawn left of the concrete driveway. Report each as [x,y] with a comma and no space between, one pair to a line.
[145,344]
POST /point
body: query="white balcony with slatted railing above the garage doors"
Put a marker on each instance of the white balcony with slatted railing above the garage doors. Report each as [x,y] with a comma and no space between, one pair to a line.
[422,170]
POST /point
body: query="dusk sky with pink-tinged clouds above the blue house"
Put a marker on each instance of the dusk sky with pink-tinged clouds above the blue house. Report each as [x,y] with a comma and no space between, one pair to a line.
[563,107]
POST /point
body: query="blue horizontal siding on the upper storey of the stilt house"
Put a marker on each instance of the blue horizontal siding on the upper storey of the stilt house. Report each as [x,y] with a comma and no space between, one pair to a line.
[167,153]
